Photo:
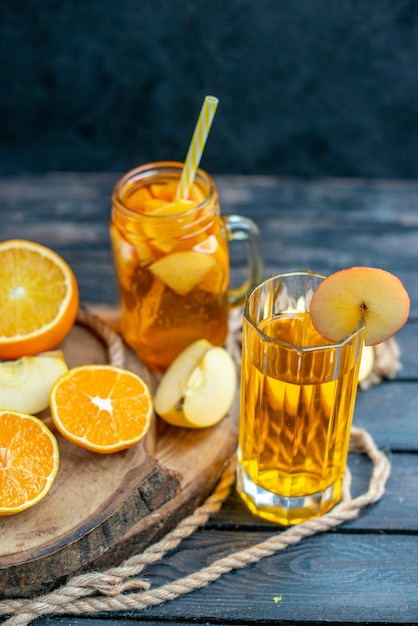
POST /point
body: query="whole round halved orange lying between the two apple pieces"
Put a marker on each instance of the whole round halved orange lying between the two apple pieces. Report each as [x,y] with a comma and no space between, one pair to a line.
[101,407]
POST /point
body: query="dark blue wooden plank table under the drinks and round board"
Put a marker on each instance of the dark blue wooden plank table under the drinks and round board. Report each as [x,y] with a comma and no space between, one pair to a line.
[365,571]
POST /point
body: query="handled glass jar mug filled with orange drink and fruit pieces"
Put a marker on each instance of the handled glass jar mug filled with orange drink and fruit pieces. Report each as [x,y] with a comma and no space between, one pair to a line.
[172,261]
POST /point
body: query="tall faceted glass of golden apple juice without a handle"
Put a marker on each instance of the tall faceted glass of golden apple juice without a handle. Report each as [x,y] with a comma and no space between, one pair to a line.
[297,400]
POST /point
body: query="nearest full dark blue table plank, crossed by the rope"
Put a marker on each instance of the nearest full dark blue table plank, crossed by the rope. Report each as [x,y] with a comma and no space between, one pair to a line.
[342,575]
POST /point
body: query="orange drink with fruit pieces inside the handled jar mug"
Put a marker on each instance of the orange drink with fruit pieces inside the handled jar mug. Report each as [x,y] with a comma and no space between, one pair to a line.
[156,320]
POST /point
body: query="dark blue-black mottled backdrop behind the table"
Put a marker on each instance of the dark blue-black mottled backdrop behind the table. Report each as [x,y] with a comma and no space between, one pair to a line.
[306,87]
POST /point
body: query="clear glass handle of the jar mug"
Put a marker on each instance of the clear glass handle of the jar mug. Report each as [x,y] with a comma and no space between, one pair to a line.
[243,229]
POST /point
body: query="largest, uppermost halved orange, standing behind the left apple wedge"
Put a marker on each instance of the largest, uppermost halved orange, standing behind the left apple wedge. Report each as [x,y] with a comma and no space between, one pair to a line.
[38,299]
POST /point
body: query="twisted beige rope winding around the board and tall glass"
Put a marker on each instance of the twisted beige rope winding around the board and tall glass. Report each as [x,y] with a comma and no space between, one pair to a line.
[121,589]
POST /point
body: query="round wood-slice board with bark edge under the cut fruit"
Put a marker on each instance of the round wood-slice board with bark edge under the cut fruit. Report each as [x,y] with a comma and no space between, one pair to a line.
[105,508]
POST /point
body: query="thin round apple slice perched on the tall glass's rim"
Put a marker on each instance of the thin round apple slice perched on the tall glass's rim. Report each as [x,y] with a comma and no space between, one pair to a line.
[341,299]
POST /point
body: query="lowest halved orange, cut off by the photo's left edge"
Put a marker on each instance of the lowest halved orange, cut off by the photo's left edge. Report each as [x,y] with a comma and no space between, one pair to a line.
[29,460]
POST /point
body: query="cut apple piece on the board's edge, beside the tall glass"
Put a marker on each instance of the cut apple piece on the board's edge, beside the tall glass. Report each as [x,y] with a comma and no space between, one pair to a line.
[198,388]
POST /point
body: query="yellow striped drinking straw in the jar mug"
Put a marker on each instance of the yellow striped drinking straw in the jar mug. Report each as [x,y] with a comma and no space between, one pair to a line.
[196,147]
